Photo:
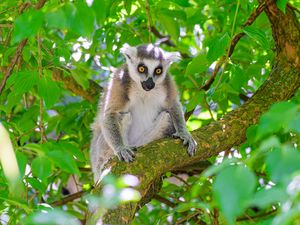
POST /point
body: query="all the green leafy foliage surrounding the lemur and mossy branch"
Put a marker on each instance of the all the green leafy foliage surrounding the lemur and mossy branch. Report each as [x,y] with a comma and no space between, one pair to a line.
[49,124]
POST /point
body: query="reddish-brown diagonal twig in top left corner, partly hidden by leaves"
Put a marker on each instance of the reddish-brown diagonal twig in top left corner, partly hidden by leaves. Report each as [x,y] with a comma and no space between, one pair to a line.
[19,50]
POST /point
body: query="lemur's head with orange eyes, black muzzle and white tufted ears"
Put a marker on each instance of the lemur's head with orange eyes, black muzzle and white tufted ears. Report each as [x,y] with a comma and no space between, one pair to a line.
[148,64]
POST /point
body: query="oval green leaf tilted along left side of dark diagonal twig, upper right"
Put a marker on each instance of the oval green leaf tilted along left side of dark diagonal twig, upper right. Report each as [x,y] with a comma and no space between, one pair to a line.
[217,47]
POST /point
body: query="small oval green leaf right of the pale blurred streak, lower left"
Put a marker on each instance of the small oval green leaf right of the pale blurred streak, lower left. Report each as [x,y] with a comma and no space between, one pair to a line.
[41,167]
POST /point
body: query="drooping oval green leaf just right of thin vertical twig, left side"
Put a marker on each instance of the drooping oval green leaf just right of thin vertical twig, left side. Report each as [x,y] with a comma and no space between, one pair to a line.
[49,91]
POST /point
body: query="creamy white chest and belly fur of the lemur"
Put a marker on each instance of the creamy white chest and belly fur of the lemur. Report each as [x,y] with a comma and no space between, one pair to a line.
[144,108]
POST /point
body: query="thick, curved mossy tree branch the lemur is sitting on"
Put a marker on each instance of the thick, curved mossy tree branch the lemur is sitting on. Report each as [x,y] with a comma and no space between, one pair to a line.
[157,158]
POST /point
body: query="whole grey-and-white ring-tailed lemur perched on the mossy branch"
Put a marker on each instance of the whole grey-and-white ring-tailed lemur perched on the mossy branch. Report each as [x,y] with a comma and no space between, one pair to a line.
[140,105]
